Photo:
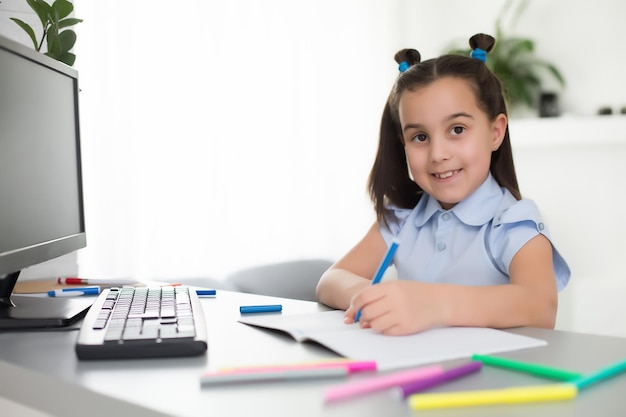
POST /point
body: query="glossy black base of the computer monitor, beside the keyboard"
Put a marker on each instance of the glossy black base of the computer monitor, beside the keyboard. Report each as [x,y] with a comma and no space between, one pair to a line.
[18,312]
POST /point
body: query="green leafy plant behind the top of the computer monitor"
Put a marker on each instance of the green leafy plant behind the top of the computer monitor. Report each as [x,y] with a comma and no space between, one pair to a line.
[54,18]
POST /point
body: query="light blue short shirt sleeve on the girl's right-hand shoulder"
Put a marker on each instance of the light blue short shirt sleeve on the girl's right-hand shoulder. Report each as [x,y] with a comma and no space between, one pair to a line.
[513,228]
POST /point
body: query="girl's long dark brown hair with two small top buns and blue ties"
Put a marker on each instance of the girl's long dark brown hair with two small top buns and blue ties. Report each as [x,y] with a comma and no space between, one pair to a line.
[389,182]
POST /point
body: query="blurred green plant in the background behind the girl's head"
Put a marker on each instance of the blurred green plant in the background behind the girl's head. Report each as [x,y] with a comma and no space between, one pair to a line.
[514,62]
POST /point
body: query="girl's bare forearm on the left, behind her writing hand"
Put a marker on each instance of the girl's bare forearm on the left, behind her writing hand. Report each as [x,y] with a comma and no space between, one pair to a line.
[353,272]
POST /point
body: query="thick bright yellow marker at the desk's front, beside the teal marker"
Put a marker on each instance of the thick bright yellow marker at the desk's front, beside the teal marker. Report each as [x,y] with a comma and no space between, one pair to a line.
[530,394]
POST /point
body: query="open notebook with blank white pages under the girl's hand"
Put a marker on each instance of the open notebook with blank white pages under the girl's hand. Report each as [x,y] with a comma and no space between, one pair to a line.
[390,352]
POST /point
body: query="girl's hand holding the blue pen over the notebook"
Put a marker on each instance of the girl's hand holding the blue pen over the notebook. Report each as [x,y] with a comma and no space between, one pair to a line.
[397,307]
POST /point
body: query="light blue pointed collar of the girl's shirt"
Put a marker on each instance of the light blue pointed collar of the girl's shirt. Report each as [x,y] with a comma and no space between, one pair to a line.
[475,210]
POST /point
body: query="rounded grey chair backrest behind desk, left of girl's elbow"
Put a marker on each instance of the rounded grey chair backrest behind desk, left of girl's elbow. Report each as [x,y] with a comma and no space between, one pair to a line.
[293,279]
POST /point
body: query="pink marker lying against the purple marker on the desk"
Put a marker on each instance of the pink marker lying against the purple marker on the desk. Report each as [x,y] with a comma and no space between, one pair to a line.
[340,392]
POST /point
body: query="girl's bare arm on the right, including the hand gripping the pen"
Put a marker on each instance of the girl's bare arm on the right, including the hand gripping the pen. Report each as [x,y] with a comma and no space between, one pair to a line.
[403,307]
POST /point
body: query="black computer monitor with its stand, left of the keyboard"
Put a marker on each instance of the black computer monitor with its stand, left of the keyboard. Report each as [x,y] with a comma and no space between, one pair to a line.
[41,197]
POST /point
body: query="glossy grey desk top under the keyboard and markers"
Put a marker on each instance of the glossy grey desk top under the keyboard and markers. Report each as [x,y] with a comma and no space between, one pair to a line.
[171,386]
